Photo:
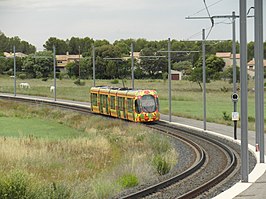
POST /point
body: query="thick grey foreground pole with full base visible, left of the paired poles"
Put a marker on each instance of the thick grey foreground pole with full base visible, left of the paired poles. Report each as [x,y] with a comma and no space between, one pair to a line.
[243,93]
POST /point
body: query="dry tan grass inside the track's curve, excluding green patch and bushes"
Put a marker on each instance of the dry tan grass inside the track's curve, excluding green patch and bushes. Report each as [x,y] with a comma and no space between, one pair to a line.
[86,165]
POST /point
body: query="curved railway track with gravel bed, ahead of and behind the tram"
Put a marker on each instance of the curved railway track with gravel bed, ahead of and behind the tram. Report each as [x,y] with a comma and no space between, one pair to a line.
[214,163]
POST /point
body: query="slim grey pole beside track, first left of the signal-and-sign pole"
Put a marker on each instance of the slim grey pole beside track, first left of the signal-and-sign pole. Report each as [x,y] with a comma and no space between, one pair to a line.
[204,78]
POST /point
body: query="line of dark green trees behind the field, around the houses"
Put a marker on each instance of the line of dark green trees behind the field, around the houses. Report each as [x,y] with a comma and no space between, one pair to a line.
[40,64]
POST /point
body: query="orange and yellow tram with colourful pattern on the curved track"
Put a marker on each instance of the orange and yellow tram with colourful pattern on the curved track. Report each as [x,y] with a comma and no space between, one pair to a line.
[133,105]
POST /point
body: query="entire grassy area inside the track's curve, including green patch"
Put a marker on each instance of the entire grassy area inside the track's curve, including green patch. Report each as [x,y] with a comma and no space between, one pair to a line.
[50,153]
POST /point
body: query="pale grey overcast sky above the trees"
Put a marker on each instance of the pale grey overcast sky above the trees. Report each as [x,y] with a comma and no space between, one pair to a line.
[36,21]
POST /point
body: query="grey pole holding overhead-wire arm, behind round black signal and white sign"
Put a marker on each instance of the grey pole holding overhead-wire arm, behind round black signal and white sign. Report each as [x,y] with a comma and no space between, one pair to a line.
[234,69]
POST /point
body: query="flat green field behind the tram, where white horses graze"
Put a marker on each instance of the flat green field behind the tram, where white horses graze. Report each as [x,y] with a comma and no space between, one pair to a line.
[187,98]
